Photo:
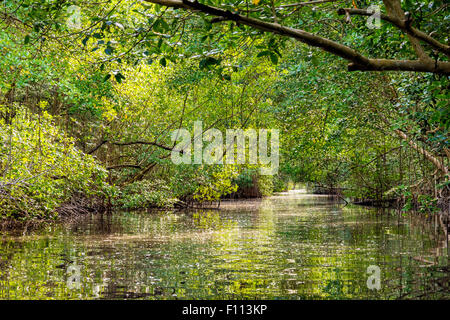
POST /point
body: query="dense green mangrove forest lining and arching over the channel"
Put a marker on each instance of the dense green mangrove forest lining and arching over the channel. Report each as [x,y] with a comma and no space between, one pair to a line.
[90,92]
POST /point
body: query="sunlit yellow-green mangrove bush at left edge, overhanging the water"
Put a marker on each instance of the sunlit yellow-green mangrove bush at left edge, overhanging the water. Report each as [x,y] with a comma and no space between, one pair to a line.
[41,167]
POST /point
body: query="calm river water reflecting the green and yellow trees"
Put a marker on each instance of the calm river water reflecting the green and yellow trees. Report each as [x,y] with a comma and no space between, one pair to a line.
[291,246]
